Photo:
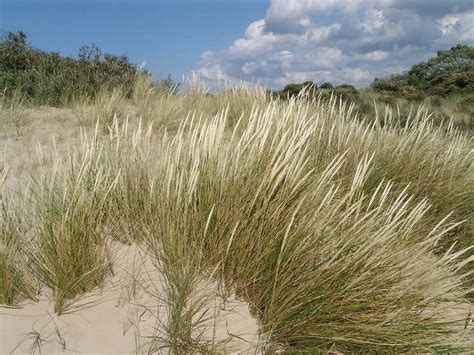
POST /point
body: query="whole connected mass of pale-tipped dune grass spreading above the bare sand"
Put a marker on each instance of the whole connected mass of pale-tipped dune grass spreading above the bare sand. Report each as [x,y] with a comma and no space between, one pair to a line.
[342,234]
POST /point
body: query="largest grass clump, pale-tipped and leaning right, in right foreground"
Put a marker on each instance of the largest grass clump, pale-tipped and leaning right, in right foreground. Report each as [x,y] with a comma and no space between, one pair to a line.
[324,265]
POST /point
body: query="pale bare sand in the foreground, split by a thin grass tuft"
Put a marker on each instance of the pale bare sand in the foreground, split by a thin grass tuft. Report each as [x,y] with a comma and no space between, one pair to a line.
[119,318]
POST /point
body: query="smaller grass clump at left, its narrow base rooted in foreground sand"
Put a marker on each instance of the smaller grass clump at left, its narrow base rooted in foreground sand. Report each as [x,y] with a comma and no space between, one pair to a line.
[69,252]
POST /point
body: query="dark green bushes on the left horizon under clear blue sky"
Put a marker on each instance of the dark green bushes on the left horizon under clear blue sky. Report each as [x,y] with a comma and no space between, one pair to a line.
[51,79]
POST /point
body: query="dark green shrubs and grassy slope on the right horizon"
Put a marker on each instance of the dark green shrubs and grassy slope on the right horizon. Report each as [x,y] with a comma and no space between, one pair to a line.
[444,85]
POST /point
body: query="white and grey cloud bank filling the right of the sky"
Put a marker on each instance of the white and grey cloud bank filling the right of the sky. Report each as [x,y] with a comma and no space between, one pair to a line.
[350,41]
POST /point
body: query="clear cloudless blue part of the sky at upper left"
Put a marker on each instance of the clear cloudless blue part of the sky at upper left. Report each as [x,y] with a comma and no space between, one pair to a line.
[170,35]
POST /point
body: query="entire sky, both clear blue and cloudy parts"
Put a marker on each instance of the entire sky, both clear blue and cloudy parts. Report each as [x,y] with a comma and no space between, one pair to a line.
[273,42]
